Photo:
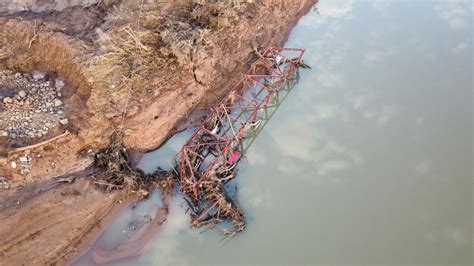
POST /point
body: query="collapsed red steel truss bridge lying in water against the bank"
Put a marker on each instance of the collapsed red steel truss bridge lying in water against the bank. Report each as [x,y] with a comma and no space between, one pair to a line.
[220,142]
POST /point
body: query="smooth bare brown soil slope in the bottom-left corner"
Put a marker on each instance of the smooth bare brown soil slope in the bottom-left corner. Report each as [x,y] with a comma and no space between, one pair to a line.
[51,226]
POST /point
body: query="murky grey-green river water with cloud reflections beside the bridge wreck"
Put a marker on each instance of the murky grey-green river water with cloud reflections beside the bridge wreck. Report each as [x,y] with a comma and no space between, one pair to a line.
[369,160]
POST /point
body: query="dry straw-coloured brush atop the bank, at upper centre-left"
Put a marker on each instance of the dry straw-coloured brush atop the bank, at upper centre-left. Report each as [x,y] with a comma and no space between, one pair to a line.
[133,51]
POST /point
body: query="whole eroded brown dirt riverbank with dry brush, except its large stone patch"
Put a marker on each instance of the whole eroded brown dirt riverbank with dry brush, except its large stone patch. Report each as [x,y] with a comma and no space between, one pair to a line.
[138,67]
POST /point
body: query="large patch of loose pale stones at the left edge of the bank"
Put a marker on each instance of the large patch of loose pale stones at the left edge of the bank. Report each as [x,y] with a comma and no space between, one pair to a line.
[31,105]
